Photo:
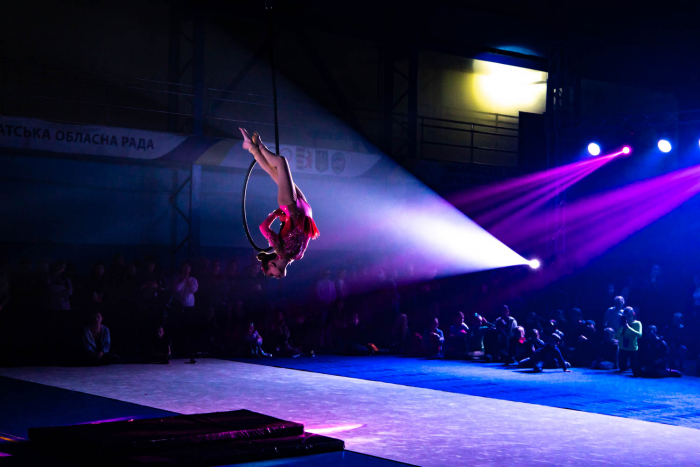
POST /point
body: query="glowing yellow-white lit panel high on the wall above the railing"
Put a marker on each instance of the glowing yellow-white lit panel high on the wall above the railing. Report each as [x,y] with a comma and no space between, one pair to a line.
[505,89]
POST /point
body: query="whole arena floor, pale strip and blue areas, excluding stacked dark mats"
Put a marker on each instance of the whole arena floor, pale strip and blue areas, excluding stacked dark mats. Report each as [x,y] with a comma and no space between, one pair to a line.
[387,409]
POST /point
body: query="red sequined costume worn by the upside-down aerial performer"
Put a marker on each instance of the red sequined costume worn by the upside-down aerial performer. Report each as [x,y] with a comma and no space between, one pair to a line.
[299,229]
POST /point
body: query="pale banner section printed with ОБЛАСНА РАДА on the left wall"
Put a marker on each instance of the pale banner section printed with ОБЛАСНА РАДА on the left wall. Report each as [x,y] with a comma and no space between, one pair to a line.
[40,135]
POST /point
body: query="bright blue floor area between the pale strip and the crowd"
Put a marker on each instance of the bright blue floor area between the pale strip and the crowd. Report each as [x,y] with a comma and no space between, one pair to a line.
[674,401]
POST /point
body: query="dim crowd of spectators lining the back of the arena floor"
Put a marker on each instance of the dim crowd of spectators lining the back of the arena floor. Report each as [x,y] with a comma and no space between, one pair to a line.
[140,311]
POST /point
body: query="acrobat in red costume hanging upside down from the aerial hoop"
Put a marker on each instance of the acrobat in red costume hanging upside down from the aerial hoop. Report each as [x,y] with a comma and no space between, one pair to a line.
[294,211]
